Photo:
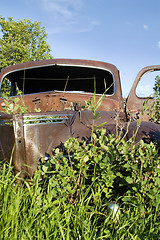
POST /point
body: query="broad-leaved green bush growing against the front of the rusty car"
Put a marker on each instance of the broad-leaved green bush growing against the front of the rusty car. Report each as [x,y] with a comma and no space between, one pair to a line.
[111,168]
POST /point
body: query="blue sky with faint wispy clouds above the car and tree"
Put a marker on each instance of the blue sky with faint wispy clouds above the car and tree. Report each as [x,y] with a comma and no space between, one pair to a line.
[125,33]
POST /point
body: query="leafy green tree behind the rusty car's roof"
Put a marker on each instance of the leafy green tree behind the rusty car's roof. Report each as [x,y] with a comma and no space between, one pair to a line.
[22,41]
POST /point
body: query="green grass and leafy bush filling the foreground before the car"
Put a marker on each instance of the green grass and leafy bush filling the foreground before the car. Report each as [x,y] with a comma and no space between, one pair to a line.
[49,208]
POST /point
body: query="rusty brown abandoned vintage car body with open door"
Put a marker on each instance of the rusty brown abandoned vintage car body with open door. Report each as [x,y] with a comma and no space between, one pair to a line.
[59,88]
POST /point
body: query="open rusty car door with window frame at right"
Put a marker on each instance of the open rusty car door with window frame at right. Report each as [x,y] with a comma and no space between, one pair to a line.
[138,105]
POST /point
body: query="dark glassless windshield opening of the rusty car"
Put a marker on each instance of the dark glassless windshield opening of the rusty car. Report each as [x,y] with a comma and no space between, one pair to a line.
[61,78]
